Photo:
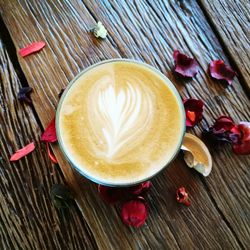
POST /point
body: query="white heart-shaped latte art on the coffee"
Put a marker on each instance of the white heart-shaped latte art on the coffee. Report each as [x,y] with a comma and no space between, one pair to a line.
[119,116]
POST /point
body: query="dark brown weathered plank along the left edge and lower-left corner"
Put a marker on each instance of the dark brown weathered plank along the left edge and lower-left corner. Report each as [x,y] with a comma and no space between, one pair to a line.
[28,218]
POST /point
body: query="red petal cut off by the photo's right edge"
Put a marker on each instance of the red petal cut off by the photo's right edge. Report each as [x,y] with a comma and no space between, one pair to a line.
[242,147]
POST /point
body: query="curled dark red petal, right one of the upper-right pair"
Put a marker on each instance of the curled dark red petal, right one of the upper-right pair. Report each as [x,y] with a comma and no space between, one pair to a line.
[219,70]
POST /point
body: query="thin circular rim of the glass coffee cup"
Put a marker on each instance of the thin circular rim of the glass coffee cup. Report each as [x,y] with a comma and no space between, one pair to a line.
[78,168]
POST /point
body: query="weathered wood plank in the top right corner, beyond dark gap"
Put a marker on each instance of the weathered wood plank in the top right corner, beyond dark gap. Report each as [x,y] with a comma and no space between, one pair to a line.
[230,20]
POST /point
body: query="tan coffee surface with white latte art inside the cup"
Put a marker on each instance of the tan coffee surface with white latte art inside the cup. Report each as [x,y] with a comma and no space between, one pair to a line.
[120,122]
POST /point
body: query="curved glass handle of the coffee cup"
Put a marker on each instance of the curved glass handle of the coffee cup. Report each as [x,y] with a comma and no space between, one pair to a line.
[196,154]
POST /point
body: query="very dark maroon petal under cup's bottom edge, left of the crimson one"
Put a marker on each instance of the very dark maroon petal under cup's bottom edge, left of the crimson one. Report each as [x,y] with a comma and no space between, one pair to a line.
[110,194]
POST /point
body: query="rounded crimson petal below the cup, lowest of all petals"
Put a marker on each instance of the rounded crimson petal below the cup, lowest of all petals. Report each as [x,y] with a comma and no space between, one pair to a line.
[134,212]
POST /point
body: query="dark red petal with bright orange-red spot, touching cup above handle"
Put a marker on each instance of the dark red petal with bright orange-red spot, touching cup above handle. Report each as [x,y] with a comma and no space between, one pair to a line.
[194,110]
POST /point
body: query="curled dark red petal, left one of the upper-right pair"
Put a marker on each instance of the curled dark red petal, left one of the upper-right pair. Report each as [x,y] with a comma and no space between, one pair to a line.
[184,65]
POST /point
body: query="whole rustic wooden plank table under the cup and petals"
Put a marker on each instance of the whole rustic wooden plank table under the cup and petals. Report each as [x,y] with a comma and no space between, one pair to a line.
[149,31]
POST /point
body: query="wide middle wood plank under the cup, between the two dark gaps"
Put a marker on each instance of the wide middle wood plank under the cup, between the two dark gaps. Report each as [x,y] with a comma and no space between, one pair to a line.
[218,216]
